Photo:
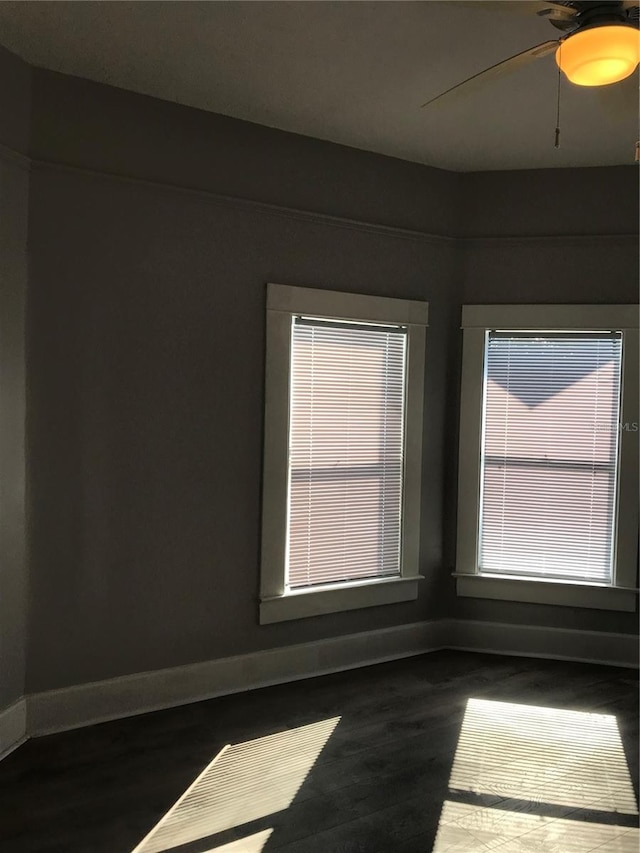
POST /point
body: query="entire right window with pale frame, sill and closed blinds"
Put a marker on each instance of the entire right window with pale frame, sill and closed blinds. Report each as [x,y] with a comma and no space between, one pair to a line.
[548,472]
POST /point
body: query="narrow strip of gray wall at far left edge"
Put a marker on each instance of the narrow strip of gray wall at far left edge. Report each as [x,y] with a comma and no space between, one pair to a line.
[14,185]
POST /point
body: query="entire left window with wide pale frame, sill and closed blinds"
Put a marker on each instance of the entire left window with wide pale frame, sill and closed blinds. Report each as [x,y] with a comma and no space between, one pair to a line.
[343,439]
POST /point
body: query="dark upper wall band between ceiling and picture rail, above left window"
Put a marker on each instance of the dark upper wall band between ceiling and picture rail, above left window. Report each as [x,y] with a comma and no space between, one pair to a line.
[82,123]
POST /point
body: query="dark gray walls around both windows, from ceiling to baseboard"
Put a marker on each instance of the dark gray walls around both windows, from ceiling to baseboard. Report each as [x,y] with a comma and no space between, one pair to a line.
[146,355]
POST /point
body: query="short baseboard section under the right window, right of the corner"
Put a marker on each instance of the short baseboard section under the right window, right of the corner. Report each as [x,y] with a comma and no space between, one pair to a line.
[540,642]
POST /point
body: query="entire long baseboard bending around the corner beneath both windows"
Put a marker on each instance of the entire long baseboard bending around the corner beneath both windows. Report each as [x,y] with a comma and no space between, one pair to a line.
[86,704]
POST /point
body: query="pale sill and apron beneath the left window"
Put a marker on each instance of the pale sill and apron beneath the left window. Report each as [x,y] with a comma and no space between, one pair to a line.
[316,602]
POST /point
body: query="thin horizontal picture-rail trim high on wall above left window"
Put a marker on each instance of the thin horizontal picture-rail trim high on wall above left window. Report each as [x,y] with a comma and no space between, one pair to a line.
[252,205]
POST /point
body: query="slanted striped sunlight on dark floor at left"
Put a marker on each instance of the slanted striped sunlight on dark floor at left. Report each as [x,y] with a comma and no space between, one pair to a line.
[244,782]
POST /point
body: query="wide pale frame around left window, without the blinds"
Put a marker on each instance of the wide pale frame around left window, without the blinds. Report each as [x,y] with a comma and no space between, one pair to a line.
[277,604]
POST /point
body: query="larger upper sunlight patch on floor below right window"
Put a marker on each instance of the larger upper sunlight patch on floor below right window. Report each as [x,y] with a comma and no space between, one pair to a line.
[544,755]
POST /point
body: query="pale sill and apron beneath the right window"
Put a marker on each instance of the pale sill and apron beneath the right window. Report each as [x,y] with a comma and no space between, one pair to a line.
[533,591]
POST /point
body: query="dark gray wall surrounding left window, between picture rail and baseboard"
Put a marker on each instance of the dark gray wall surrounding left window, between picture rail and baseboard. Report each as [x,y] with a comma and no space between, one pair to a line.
[146,424]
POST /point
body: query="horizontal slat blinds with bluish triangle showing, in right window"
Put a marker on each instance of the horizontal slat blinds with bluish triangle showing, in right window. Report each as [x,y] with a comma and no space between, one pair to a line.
[549,456]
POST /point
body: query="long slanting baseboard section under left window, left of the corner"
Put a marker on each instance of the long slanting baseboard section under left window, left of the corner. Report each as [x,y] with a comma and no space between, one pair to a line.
[86,704]
